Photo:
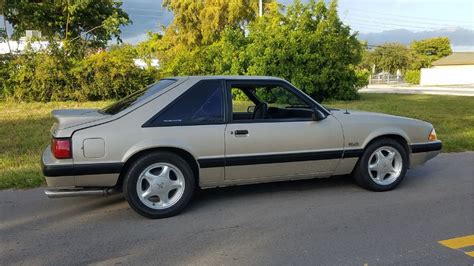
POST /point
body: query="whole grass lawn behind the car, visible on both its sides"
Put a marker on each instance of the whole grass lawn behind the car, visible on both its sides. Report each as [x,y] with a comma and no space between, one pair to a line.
[24,128]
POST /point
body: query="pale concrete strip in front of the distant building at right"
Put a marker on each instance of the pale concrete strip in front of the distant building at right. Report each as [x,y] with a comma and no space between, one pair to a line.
[457,90]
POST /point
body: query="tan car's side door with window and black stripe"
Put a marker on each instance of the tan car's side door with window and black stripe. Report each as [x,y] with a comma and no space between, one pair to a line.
[285,144]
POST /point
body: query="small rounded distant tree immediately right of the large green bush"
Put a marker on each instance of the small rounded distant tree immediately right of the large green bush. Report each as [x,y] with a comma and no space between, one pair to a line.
[391,57]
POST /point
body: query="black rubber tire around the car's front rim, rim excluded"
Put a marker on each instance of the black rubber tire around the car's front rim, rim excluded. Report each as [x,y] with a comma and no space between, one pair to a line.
[361,172]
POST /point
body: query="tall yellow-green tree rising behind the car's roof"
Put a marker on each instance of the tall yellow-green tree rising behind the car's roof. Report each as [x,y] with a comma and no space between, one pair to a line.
[190,43]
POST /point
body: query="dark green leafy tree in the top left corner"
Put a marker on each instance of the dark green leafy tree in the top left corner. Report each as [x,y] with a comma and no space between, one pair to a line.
[92,22]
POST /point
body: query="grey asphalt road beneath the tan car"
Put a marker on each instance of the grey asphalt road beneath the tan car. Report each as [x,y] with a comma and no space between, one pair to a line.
[325,221]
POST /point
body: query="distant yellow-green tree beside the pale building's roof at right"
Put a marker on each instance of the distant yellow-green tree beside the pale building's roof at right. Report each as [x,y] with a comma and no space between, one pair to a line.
[429,50]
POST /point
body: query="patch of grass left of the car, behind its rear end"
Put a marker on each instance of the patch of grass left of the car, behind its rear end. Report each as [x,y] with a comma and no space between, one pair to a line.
[24,133]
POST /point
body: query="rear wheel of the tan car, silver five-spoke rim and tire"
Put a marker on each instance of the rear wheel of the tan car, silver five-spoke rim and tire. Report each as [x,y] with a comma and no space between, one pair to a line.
[159,185]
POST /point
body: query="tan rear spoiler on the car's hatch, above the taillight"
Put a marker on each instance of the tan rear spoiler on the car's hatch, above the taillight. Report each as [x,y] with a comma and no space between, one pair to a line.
[72,117]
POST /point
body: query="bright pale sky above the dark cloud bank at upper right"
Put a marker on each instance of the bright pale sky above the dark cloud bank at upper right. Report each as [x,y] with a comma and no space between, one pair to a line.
[415,15]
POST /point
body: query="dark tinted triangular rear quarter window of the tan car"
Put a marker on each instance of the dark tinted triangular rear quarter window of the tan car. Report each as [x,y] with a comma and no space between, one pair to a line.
[203,103]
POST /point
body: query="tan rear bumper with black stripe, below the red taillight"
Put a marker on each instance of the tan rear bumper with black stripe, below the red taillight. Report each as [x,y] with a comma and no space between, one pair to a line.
[64,173]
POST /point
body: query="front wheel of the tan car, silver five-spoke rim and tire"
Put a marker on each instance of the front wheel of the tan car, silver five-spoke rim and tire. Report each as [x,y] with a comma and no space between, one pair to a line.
[382,166]
